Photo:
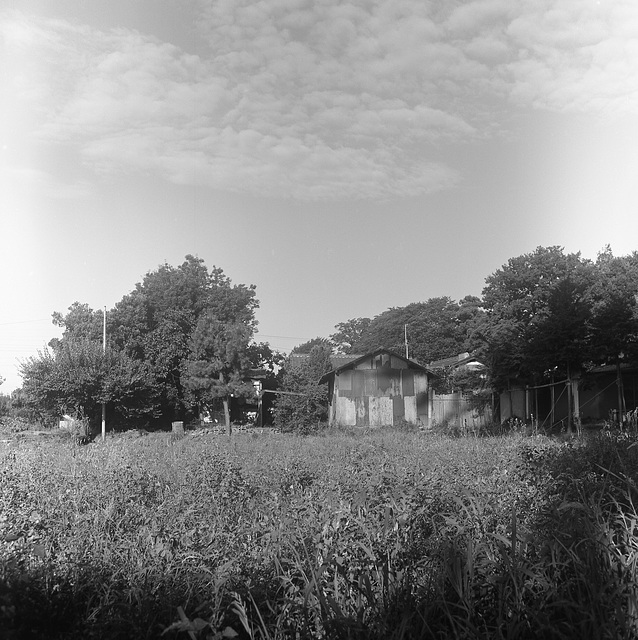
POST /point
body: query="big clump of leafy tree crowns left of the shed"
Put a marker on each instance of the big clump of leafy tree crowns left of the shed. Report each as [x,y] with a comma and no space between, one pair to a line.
[158,337]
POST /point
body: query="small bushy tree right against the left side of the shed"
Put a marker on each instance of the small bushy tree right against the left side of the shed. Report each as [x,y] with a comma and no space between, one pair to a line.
[304,405]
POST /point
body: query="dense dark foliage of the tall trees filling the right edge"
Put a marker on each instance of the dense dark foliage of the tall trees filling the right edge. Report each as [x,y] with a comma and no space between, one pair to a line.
[552,313]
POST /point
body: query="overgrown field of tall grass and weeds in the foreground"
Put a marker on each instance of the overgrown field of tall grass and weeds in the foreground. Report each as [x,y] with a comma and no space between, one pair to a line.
[379,536]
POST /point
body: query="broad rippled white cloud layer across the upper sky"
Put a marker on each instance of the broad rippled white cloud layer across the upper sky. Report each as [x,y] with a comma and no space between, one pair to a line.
[316,99]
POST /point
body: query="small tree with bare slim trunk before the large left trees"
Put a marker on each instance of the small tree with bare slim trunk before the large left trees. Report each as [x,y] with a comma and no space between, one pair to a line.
[219,363]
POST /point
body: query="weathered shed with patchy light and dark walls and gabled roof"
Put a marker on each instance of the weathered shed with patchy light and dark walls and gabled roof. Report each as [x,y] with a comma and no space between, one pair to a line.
[377,389]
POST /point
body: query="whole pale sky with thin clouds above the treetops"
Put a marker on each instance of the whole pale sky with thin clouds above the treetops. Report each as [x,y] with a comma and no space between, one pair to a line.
[345,156]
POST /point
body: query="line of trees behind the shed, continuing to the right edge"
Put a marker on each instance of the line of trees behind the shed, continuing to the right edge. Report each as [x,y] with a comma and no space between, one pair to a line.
[543,315]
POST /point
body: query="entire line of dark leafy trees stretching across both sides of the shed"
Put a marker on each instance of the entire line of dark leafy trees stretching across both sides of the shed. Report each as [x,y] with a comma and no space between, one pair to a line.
[183,339]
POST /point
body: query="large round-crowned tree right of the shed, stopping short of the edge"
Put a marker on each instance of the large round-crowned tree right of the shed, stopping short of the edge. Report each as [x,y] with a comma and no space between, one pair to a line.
[536,316]
